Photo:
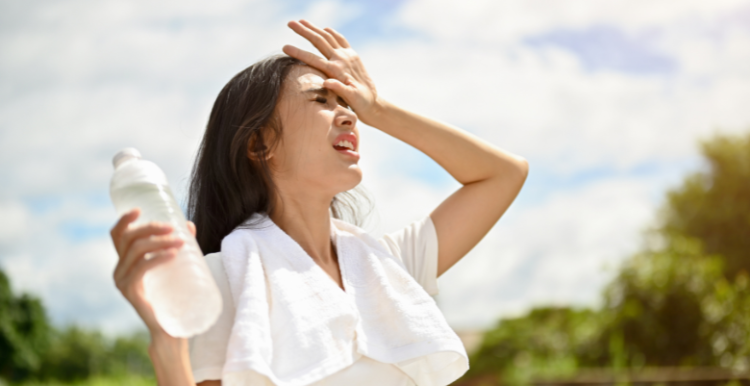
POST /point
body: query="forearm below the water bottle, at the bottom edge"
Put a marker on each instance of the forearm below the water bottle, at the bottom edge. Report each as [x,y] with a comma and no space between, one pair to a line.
[171,360]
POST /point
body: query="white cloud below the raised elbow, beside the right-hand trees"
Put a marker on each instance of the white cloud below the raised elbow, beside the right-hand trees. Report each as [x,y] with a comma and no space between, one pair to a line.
[559,251]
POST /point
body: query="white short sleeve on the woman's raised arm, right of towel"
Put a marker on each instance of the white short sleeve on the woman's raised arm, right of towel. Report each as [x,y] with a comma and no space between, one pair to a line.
[416,246]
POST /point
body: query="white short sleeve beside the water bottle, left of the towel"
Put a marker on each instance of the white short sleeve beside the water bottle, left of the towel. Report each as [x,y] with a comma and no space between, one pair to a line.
[208,350]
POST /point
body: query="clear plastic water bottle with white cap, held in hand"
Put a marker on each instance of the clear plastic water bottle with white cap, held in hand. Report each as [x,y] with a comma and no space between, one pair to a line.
[183,294]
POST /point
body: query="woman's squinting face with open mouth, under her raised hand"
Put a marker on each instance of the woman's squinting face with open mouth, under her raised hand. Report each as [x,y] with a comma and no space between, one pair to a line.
[319,147]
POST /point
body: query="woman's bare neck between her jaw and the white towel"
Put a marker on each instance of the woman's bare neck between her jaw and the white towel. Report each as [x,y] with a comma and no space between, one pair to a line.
[306,219]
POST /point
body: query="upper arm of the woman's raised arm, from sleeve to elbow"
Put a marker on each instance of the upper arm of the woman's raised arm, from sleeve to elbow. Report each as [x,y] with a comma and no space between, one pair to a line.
[465,217]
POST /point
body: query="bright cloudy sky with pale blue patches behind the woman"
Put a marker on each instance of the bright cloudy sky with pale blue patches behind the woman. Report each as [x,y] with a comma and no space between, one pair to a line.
[607,100]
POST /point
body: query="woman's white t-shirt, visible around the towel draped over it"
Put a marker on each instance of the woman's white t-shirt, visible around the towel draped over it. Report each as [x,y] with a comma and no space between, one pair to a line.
[415,245]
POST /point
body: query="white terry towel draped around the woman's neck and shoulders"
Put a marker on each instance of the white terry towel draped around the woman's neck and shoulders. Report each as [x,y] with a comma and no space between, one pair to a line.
[295,326]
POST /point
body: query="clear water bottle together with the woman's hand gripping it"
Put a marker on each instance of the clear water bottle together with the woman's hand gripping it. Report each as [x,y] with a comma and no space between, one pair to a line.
[182,296]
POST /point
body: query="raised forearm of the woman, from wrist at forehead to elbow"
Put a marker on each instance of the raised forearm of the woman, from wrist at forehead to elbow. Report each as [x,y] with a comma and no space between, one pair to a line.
[465,157]
